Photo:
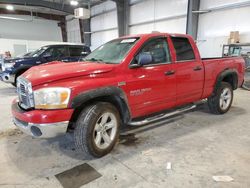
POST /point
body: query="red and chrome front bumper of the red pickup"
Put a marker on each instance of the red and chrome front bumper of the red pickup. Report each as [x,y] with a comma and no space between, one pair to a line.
[41,123]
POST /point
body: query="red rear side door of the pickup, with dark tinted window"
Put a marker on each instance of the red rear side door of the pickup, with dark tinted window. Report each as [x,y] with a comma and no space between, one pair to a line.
[189,71]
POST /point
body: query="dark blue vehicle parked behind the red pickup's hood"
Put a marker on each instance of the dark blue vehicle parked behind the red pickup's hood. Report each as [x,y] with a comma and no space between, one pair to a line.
[12,68]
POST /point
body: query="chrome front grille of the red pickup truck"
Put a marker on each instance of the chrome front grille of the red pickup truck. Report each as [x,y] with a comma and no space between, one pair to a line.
[25,93]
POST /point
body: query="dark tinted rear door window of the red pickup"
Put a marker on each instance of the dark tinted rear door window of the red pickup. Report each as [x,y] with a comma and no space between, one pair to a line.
[183,49]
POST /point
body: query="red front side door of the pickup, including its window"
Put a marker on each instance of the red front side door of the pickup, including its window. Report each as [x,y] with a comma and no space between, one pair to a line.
[152,87]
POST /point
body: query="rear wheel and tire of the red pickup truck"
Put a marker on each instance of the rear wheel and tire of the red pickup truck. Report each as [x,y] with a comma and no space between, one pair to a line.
[221,101]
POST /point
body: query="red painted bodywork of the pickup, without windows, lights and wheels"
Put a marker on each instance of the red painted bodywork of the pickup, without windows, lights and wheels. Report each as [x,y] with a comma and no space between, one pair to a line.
[160,91]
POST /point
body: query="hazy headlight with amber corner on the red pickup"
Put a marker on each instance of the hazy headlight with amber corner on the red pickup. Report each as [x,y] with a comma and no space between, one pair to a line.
[52,98]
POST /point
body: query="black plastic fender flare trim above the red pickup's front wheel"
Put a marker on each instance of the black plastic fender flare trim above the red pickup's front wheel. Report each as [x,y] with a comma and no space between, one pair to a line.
[115,92]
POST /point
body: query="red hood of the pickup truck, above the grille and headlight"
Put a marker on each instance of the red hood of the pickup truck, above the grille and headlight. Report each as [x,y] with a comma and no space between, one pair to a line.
[56,71]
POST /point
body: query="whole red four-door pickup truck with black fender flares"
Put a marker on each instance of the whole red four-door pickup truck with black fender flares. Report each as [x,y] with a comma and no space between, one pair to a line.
[132,80]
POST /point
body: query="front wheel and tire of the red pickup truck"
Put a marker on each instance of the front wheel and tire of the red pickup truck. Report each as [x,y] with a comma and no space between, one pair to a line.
[90,134]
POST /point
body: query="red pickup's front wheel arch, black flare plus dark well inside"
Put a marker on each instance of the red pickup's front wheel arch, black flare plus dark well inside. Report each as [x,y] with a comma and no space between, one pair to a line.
[113,95]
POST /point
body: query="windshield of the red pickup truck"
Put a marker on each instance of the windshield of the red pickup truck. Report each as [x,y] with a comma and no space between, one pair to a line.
[113,51]
